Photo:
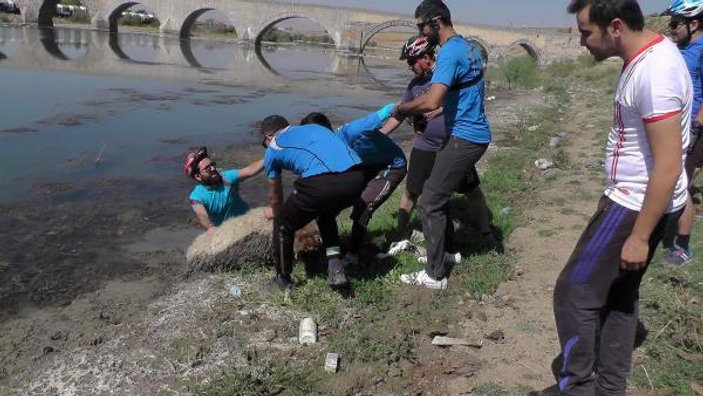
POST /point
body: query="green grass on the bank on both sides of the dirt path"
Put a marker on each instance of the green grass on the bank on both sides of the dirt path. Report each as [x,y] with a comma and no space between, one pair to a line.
[380,328]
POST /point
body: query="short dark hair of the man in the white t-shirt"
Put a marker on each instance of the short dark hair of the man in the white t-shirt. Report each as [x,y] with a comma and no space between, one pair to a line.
[602,12]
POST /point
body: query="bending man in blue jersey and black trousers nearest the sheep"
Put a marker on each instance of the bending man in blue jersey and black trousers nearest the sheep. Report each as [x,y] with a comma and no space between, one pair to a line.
[330,181]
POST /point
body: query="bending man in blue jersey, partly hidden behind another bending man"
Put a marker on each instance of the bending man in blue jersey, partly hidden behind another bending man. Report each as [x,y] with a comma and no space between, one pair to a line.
[383,160]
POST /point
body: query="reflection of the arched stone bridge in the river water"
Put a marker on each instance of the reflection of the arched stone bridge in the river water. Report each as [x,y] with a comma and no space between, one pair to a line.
[97,51]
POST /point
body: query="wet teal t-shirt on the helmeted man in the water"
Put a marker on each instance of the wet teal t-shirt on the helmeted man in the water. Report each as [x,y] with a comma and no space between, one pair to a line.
[223,201]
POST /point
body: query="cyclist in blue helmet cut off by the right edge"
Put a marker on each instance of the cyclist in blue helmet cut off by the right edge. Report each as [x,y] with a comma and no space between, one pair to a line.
[686,28]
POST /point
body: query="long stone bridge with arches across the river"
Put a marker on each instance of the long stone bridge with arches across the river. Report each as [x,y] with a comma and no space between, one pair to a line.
[351,29]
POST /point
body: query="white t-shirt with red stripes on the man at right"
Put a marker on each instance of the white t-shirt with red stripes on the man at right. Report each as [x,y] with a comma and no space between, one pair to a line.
[654,85]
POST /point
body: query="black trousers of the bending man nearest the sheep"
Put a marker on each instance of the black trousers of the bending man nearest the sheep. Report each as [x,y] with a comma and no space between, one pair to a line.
[319,197]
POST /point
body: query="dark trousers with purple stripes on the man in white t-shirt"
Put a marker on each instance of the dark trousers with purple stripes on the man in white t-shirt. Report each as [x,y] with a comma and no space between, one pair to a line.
[594,296]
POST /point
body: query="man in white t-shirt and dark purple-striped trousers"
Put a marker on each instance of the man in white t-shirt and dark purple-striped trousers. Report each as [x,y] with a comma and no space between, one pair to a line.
[598,289]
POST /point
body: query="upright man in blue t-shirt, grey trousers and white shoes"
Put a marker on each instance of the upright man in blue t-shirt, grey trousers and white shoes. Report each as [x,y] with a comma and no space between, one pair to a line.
[458,86]
